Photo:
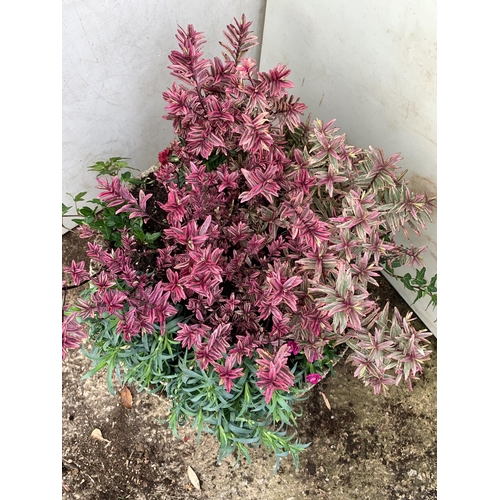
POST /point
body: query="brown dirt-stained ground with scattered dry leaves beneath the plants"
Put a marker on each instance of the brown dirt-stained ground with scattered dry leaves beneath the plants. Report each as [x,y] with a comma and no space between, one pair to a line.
[366,447]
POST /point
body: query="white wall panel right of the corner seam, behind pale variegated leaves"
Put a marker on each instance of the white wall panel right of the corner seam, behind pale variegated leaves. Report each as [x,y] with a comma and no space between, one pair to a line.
[372,66]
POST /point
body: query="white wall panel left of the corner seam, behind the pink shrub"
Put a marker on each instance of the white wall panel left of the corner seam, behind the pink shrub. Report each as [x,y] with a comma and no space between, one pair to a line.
[115,58]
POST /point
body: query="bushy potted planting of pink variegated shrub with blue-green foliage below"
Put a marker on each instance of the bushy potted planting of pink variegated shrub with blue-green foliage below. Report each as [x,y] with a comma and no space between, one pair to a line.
[230,275]
